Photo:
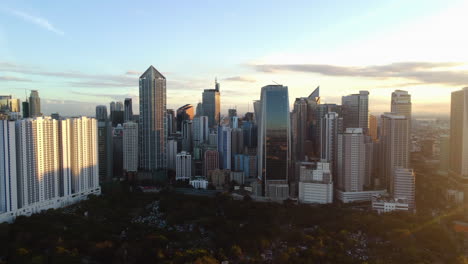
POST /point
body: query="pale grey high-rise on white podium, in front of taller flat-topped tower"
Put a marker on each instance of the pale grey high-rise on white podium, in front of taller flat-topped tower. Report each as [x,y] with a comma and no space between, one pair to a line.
[351,160]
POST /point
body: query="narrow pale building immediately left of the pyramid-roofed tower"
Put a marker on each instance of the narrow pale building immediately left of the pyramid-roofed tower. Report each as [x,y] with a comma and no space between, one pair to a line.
[130,147]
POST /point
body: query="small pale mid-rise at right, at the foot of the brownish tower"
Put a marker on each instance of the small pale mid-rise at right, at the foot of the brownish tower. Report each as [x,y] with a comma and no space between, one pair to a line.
[404,186]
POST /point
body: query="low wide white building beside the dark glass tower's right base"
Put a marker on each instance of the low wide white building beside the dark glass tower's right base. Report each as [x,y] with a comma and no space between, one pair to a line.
[315,183]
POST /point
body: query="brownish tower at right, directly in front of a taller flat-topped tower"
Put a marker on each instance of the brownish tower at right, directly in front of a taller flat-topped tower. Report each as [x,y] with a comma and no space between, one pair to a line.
[394,146]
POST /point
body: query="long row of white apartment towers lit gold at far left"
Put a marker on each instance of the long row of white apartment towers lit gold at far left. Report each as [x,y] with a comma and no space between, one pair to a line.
[55,164]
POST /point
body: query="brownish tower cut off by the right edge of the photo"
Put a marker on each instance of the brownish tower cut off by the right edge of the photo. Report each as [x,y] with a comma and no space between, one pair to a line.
[458,166]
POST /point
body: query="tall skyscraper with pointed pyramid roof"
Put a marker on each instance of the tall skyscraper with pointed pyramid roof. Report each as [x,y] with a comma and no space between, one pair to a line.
[152,126]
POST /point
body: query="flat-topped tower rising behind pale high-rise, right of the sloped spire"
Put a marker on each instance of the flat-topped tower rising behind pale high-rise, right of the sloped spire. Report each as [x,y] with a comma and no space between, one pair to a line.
[356,110]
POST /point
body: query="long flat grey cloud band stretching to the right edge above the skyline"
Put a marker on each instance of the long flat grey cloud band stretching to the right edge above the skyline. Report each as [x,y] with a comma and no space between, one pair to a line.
[422,72]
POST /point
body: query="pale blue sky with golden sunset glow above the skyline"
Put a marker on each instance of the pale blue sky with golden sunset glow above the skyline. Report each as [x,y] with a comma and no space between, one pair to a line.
[80,54]
